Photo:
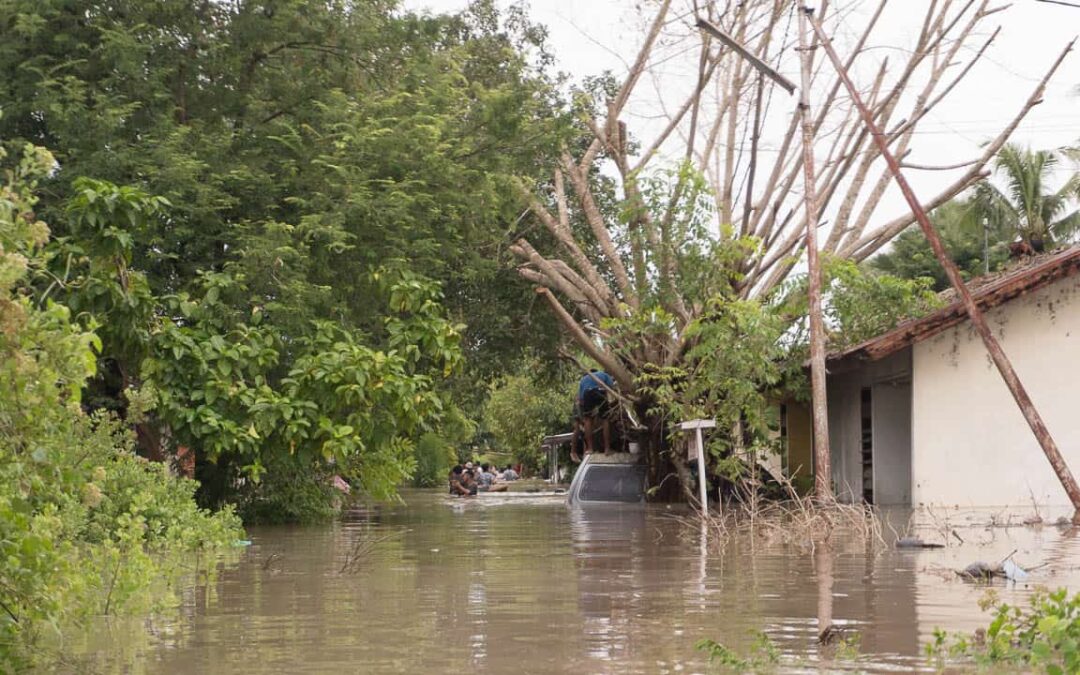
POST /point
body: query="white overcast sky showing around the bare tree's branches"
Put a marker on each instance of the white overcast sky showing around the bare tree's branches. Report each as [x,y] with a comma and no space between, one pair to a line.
[591,36]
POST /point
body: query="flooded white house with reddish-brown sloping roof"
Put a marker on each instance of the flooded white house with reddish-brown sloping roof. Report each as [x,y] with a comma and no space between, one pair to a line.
[921,415]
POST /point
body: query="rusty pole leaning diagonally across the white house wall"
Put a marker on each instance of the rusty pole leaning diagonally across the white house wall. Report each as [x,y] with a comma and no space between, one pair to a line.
[978,320]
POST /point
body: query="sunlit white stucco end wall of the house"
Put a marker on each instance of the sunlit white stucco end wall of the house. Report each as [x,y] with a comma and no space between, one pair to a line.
[971,447]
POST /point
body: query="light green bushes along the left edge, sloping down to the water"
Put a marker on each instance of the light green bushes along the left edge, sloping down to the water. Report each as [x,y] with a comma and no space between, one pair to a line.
[87,528]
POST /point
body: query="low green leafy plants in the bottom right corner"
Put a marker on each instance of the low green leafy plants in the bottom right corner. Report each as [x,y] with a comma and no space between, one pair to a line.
[1045,637]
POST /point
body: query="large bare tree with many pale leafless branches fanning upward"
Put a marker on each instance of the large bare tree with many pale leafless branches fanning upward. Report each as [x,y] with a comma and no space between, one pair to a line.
[740,132]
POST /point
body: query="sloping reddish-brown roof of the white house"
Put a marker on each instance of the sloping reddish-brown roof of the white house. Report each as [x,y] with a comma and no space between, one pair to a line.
[989,292]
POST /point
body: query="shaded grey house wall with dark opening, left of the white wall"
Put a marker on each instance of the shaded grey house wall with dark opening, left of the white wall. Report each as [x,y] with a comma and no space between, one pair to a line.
[892,415]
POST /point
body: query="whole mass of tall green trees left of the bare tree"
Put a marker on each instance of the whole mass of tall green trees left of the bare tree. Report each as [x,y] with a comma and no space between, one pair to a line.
[285,220]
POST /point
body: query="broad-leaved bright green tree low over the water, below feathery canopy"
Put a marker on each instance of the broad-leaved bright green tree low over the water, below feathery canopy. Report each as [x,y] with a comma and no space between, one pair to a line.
[248,395]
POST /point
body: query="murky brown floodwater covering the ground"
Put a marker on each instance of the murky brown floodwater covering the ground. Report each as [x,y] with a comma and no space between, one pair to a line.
[525,585]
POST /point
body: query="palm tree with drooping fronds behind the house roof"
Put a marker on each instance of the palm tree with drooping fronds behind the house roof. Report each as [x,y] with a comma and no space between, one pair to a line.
[1025,208]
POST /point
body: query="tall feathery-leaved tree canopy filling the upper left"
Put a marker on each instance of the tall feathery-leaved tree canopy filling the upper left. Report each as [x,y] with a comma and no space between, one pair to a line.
[294,140]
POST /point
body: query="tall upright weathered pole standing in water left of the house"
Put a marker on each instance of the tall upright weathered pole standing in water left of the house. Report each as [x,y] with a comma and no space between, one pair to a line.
[822,460]
